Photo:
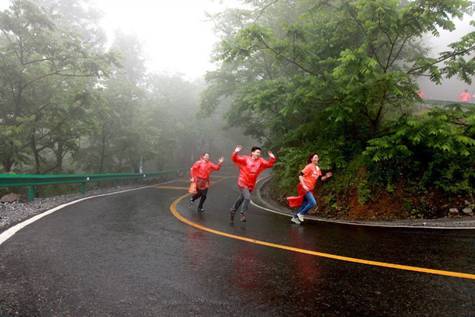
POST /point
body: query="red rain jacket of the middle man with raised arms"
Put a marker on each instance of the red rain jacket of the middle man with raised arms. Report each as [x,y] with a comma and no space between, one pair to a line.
[249,169]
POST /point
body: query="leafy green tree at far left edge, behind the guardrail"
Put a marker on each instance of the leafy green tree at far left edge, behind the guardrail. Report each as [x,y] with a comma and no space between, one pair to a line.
[48,74]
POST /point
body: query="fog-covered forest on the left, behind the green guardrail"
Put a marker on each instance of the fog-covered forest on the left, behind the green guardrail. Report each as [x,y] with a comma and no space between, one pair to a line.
[73,101]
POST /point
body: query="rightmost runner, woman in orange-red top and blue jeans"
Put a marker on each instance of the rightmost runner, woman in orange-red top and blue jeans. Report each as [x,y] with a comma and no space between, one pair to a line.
[308,179]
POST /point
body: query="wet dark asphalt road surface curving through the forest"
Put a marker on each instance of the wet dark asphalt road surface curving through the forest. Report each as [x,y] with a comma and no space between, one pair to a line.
[127,255]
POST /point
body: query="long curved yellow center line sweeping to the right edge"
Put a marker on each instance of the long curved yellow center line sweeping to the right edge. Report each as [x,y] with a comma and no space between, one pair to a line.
[174,211]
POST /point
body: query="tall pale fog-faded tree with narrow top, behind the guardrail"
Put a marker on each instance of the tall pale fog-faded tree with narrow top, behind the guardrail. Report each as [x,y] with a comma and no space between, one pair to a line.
[124,136]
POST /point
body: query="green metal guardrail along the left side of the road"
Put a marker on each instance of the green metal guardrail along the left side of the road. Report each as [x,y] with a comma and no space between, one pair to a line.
[32,180]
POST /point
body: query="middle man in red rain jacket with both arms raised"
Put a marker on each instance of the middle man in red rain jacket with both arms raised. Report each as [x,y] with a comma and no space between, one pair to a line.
[250,166]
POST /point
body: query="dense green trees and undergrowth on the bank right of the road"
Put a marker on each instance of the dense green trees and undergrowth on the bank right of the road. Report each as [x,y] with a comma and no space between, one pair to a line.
[340,78]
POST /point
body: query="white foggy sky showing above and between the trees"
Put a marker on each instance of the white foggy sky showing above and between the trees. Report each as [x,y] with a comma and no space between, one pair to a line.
[178,38]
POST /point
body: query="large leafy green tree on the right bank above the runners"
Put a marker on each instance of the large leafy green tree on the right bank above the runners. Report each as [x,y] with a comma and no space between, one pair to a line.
[336,77]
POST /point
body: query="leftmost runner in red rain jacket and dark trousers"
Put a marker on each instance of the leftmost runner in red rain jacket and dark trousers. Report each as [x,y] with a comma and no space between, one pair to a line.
[200,172]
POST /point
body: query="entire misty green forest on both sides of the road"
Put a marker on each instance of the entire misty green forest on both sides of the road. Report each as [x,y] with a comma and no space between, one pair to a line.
[334,77]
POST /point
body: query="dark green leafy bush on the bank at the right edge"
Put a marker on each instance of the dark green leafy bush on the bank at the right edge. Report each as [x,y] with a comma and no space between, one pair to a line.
[433,145]
